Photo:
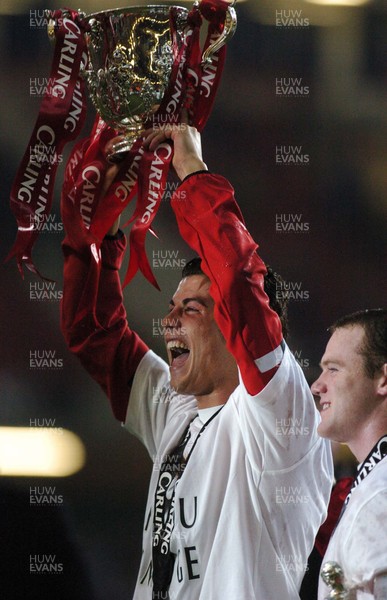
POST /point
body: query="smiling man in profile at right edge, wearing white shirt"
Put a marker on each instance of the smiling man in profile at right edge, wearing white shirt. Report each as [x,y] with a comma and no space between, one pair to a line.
[352,391]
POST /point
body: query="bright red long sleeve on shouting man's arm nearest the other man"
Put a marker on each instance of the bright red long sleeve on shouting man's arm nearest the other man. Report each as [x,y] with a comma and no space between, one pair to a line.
[210,221]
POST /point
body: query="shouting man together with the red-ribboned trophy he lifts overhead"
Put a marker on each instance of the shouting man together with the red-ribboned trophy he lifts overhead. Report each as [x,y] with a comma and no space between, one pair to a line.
[209,416]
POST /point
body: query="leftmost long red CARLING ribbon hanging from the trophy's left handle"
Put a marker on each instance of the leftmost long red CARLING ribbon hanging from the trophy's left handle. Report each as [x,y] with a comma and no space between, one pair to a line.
[61,117]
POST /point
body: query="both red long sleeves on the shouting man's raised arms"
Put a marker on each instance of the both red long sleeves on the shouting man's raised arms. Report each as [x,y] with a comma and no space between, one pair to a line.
[93,317]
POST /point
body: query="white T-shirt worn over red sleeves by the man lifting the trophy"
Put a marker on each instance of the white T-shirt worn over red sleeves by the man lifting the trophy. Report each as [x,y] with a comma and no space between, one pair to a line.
[253,493]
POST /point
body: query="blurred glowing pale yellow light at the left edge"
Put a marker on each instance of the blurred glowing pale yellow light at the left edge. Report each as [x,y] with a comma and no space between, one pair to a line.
[40,452]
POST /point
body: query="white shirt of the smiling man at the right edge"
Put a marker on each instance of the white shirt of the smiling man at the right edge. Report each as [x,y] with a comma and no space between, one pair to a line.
[359,543]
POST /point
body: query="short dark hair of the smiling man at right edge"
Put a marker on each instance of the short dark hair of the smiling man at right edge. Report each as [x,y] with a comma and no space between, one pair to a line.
[374,347]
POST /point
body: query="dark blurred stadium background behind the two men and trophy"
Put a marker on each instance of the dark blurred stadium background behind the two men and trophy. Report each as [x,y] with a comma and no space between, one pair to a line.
[318,87]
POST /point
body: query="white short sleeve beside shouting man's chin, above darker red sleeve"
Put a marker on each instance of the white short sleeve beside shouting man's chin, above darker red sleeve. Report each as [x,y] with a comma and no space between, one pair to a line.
[152,402]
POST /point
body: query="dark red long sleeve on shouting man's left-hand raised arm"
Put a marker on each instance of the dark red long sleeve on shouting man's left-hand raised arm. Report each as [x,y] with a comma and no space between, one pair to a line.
[100,336]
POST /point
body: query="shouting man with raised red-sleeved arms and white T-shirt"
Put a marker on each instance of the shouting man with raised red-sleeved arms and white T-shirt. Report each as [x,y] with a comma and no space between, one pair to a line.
[241,479]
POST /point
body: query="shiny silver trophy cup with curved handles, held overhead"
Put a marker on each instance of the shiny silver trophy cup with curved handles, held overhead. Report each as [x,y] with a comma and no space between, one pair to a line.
[131,53]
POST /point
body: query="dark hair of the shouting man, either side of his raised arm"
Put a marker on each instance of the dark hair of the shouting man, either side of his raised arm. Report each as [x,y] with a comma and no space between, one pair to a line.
[278,302]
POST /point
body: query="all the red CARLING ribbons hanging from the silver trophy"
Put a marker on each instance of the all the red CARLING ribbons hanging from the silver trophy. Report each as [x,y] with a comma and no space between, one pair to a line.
[88,214]
